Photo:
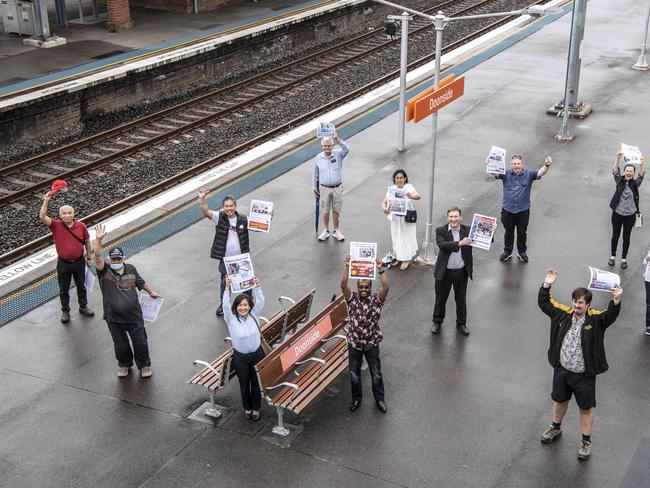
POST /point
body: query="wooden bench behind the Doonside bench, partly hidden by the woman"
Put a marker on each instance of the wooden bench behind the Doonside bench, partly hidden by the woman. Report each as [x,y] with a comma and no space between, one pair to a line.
[216,374]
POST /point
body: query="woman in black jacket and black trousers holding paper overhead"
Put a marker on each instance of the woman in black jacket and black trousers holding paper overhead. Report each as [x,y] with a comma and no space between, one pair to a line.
[624,205]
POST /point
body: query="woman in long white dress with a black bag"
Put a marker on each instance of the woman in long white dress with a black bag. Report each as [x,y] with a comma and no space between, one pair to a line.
[403,234]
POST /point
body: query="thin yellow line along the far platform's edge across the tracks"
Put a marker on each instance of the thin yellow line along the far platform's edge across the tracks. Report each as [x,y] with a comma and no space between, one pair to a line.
[166,49]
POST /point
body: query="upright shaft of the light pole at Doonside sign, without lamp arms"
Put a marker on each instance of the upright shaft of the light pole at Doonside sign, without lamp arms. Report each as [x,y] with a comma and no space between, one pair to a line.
[427,255]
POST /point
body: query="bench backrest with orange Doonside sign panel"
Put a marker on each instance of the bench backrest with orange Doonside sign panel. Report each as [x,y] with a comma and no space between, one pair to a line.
[303,344]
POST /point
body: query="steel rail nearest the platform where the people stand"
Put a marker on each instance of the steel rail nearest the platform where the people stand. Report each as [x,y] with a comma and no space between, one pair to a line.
[128,202]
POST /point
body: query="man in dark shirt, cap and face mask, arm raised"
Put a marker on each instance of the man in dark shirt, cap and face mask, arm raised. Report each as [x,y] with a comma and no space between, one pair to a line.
[118,281]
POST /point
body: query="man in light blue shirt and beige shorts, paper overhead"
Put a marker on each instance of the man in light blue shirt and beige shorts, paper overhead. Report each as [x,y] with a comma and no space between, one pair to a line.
[327,183]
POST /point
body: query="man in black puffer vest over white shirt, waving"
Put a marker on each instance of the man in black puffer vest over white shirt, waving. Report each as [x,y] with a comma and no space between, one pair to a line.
[230,238]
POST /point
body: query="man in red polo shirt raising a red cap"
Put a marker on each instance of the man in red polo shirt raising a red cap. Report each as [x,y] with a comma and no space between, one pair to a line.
[70,239]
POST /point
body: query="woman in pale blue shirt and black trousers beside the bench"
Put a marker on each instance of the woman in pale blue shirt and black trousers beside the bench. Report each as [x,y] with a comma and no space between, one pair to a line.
[243,325]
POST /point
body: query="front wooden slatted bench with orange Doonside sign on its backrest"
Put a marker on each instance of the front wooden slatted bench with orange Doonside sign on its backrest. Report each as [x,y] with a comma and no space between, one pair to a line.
[301,367]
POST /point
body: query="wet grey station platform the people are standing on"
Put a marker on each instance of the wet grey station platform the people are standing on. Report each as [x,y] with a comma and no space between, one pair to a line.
[461,411]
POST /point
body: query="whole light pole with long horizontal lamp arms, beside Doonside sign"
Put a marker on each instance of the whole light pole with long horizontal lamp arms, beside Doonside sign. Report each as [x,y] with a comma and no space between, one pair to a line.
[440,21]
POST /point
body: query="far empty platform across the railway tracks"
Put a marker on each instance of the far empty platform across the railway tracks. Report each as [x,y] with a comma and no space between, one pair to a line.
[93,55]
